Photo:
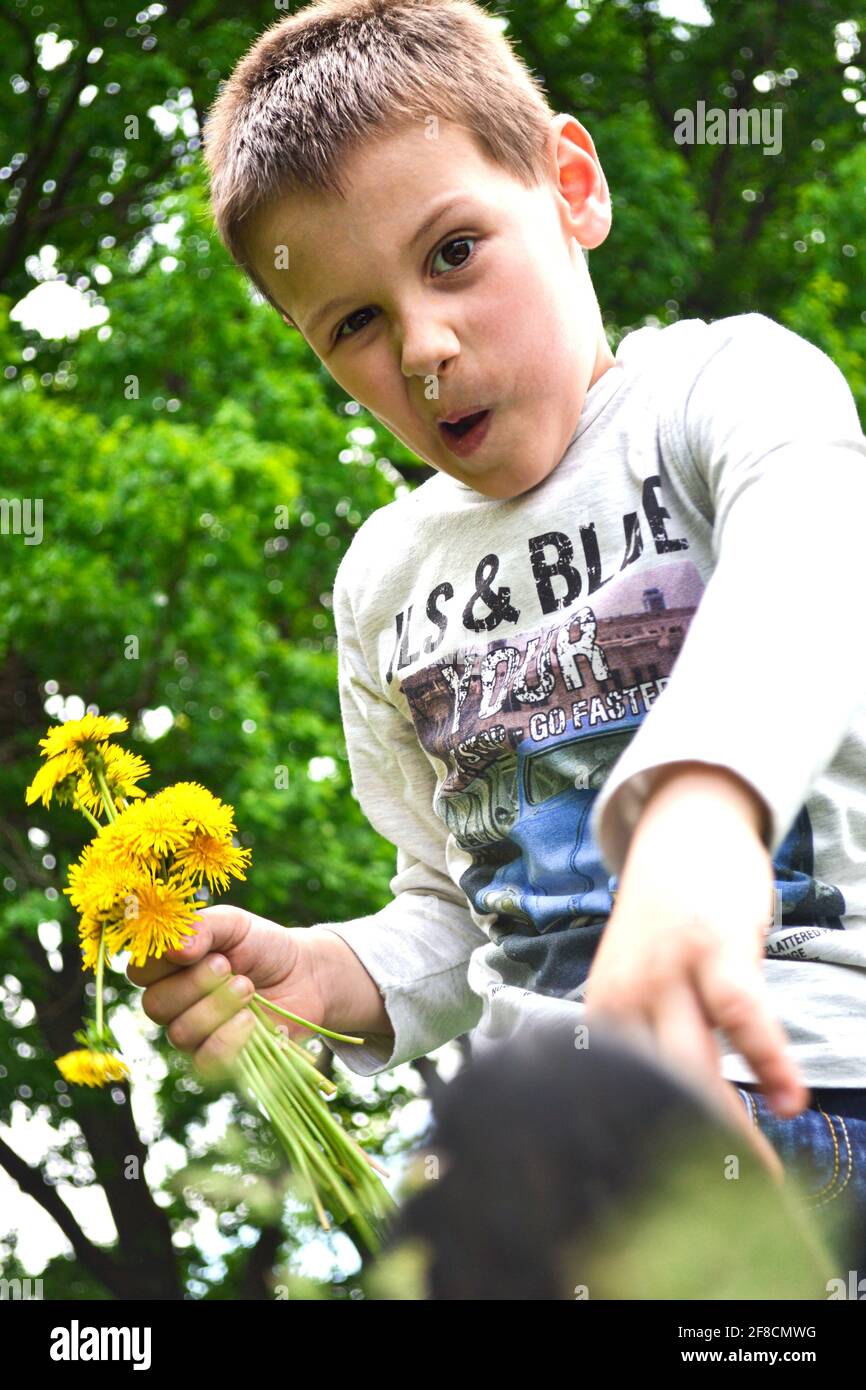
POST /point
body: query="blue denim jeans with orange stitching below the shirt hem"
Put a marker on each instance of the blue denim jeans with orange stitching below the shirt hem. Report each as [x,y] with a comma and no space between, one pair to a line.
[826,1149]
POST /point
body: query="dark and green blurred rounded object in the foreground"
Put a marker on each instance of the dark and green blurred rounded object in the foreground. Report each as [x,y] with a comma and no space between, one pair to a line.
[555,1172]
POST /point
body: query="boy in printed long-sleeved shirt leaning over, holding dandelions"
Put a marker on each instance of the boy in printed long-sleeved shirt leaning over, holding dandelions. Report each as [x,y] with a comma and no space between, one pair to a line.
[582,832]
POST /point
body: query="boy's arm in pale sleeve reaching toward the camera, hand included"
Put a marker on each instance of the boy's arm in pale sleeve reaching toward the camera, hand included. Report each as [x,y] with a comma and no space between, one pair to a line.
[767,445]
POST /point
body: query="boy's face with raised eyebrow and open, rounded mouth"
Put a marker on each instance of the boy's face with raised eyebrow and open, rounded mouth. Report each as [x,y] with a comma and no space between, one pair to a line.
[490,308]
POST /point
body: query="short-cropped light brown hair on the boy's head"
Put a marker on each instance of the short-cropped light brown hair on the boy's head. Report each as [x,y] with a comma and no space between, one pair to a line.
[319,84]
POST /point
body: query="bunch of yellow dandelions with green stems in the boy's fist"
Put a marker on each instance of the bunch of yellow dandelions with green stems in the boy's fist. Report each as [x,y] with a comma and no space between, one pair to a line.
[136,888]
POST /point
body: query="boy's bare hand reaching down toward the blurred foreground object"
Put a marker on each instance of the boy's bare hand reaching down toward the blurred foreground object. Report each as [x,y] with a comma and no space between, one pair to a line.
[683,949]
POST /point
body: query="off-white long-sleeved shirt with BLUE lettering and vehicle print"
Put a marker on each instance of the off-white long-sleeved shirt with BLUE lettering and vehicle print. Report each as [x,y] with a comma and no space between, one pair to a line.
[687,584]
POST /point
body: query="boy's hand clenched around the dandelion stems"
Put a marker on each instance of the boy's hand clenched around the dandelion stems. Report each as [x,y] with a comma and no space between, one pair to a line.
[201,993]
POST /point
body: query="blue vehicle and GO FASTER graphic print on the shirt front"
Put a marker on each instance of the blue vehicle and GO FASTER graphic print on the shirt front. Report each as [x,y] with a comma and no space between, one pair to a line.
[525,730]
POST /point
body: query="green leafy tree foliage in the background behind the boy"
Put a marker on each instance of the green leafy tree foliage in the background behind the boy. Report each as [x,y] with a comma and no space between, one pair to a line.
[202,476]
